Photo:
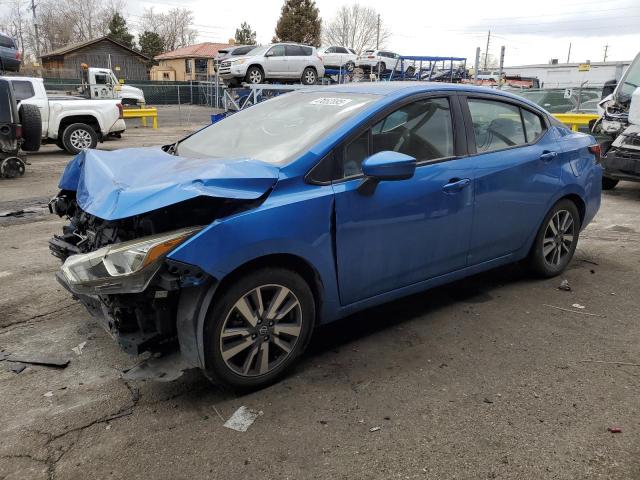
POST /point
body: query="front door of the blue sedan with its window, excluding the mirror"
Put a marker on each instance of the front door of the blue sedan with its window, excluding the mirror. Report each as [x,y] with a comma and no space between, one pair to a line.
[403,231]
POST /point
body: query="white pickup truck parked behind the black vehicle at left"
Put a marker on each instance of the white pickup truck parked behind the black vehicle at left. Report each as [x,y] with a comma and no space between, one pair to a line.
[72,123]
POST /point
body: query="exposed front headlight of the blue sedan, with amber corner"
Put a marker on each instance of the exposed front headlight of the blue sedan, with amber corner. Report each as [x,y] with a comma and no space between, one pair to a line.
[125,267]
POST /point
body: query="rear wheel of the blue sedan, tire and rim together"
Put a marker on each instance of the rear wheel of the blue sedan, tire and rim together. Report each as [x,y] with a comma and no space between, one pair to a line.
[552,263]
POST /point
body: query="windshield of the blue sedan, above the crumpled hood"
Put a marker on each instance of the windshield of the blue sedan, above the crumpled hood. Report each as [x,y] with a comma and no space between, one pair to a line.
[278,130]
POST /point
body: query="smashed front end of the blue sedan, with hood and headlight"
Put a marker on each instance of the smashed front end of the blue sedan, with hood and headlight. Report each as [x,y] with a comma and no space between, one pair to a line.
[127,212]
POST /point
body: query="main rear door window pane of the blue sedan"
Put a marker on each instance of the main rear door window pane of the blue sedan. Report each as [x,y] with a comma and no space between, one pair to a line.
[497,125]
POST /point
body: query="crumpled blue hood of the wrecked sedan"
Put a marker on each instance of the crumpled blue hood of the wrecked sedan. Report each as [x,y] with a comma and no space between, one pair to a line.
[123,183]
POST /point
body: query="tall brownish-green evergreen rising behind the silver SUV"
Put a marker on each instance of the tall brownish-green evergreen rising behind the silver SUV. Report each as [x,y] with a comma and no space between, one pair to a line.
[299,22]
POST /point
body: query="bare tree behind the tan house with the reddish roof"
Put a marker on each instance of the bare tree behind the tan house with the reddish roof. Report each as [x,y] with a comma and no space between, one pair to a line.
[174,27]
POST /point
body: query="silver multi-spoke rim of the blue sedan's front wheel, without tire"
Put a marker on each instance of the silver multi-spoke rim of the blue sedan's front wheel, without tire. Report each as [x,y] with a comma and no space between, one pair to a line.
[261,330]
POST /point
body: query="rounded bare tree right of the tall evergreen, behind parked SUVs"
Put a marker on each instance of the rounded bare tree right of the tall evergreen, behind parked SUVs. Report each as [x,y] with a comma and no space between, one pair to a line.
[356,27]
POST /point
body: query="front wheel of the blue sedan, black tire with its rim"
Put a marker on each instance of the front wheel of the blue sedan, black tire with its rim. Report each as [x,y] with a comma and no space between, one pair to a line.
[235,358]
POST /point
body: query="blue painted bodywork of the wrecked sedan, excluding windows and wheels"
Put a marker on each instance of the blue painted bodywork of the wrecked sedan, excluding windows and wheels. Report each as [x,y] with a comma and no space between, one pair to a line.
[365,249]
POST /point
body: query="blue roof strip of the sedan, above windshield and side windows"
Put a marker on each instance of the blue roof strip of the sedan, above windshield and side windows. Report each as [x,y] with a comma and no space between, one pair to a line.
[401,89]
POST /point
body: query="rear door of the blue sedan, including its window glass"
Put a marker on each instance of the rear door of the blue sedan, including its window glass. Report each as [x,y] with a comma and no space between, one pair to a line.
[516,170]
